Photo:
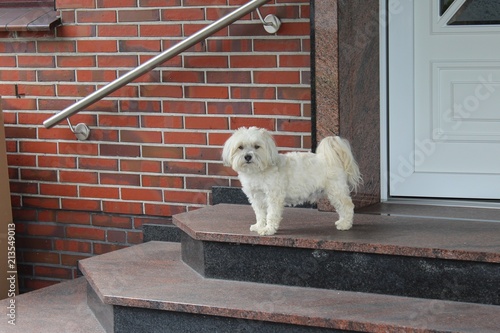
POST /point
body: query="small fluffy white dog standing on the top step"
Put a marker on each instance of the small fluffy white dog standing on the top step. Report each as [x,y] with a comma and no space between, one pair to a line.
[271,180]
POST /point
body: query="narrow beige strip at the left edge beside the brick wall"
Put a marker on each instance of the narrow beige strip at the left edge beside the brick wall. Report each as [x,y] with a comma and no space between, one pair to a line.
[5,214]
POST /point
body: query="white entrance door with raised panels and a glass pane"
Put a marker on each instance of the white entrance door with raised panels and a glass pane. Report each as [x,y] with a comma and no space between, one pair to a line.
[444,99]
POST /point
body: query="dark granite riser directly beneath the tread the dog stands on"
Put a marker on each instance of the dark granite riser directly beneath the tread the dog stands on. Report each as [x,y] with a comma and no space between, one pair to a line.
[454,280]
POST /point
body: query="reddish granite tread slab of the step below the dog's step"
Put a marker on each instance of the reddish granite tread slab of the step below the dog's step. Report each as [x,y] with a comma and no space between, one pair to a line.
[151,275]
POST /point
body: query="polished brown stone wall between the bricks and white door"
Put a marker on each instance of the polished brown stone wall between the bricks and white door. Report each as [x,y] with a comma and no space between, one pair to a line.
[345,83]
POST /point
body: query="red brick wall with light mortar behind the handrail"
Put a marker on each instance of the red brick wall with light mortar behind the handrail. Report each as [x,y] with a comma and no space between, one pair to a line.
[154,148]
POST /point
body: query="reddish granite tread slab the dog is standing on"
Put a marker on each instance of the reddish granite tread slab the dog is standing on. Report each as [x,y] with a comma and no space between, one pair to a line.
[307,228]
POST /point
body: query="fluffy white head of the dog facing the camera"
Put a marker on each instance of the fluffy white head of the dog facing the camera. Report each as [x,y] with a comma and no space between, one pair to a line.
[250,150]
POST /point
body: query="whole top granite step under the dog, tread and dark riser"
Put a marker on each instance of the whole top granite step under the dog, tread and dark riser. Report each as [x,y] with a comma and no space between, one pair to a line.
[425,257]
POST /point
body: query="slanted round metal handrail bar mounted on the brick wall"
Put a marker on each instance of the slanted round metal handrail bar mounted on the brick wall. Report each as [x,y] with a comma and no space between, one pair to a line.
[154,62]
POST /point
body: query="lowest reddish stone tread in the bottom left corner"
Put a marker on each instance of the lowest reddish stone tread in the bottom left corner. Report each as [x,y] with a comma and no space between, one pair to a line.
[59,308]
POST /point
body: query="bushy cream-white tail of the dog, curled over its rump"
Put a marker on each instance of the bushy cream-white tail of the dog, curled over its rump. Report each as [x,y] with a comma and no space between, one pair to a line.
[337,152]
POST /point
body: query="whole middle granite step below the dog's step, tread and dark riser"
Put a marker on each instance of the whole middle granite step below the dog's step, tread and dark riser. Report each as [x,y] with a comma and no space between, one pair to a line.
[148,288]
